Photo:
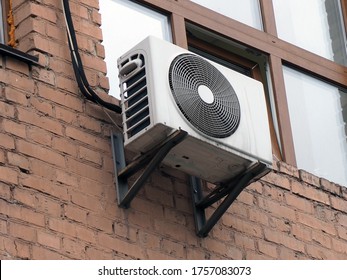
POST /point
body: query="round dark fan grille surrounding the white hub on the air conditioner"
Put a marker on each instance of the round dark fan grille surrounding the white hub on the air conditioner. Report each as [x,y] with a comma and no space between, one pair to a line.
[218,119]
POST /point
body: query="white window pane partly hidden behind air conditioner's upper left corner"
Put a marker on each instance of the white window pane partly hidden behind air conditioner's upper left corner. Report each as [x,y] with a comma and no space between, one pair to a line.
[124,24]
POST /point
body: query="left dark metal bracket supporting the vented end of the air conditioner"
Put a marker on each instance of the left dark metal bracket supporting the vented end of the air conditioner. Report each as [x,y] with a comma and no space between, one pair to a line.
[149,161]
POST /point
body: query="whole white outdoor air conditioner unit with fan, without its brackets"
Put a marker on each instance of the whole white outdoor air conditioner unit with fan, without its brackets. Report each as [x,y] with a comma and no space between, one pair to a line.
[165,88]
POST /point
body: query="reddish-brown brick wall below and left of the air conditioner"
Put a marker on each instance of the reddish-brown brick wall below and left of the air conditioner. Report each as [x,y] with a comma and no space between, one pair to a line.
[57,197]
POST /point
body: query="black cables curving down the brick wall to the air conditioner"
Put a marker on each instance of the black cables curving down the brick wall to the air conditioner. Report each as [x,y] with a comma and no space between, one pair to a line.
[81,79]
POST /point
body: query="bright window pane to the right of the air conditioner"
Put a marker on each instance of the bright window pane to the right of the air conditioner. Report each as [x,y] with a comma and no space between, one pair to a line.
[318,114]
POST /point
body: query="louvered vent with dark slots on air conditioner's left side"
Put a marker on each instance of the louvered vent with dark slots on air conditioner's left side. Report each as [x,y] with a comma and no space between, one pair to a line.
[134,95]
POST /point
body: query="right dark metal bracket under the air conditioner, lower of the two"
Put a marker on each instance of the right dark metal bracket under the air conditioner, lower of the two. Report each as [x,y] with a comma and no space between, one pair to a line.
[229,190]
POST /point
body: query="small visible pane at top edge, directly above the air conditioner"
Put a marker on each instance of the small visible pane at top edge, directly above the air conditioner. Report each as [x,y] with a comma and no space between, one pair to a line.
[245,11]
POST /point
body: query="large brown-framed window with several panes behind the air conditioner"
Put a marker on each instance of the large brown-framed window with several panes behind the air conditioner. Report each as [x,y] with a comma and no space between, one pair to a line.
[275,38]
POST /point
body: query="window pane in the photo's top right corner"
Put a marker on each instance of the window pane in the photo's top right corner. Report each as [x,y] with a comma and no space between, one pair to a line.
[315,25]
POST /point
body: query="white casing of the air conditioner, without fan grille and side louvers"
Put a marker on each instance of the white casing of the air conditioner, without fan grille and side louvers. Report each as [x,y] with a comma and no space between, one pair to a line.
[150,113]
